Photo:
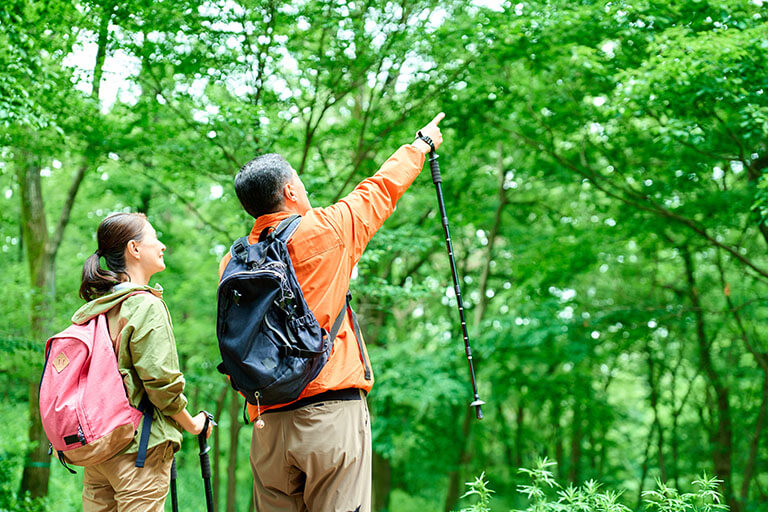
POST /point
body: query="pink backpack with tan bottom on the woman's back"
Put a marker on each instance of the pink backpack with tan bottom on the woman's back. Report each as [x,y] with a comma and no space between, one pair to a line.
[83,403]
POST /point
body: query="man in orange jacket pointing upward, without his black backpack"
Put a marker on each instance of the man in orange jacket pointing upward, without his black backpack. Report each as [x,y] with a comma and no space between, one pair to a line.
[315,453]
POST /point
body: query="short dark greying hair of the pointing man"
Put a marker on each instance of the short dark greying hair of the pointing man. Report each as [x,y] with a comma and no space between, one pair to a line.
[259,184]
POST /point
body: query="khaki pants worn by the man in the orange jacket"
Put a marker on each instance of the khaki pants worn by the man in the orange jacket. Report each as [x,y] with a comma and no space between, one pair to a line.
[316,458]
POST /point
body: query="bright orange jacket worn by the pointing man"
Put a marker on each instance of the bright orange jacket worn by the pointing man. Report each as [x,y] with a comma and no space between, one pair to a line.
[324,250]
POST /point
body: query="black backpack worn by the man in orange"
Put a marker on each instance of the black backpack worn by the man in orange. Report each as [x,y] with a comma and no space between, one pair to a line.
[271,343]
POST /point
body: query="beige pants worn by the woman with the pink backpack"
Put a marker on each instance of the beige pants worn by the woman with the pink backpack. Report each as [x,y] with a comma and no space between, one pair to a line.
[118,485]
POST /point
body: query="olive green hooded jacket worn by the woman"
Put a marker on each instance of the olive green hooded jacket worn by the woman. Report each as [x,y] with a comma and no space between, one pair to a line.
[140,327]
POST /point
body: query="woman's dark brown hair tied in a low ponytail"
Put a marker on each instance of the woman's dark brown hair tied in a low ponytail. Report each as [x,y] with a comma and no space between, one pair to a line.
[113,236]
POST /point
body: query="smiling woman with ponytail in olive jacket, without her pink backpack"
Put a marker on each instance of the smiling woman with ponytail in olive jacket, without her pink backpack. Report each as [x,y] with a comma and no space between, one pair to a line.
[140,328]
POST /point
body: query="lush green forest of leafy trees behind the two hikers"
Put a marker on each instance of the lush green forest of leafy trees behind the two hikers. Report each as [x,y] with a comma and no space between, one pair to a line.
[605,170]
